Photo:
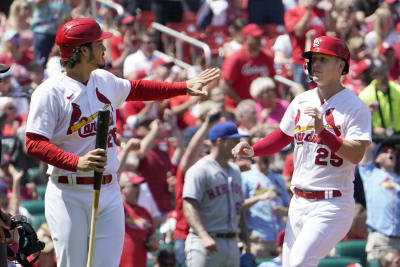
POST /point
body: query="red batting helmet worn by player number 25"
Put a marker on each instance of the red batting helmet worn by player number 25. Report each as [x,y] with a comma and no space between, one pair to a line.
[329,46]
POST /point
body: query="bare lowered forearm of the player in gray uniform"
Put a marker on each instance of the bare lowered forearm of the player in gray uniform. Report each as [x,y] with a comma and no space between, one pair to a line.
[190,210]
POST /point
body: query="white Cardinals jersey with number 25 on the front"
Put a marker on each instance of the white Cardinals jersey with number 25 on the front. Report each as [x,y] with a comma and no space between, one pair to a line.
[316,167]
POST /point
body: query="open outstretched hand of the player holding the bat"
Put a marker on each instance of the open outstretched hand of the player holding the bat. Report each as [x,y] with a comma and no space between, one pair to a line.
[195,85]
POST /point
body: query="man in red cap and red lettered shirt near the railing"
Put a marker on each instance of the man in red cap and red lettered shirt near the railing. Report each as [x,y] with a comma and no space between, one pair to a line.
[242,67]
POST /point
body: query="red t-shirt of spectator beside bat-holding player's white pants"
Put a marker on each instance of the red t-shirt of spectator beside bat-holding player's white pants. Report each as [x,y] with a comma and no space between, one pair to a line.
[138,224]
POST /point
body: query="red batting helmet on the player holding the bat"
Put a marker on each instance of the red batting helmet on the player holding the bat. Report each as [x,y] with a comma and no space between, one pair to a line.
[78,32]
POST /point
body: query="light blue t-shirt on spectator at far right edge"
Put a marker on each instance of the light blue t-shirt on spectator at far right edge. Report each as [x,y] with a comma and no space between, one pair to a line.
[382,195]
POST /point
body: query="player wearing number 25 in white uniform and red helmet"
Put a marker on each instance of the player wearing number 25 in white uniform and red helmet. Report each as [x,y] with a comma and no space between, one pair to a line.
[331,129]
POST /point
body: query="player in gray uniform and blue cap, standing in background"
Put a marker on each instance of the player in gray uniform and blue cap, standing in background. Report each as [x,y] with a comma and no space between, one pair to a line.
[212,201]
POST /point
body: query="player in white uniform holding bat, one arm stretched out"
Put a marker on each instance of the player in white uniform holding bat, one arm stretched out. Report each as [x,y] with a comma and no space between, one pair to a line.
[61,132]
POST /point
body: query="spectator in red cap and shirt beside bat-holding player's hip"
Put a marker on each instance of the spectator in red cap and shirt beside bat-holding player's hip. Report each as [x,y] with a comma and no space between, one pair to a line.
[139,227]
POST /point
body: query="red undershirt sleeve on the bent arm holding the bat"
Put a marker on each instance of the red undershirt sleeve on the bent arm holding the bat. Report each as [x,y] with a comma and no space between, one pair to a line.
[40,147]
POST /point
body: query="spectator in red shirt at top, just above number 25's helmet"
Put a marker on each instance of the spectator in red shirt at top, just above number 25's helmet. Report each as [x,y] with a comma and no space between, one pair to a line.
[304,19]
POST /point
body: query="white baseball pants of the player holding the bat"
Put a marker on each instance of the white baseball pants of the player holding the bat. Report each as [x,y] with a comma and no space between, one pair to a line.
[68,212]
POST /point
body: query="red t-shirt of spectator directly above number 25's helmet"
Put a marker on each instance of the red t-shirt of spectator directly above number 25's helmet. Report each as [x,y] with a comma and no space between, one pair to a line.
[316,22]
